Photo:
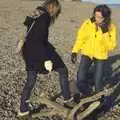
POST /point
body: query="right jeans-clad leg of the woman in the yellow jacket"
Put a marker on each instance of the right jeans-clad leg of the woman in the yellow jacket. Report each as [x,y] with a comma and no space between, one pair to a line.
[98,74]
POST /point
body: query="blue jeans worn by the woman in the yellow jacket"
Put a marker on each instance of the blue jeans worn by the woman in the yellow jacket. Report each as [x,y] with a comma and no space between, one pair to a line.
[82,74]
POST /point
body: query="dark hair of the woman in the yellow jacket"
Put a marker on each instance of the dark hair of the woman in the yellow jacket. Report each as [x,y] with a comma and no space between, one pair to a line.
[105,11]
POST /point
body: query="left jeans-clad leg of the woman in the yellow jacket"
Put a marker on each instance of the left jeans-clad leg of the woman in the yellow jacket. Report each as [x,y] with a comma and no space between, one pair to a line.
[82,74]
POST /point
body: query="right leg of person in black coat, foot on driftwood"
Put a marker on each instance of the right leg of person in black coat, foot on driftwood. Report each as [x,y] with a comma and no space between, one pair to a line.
[64,83]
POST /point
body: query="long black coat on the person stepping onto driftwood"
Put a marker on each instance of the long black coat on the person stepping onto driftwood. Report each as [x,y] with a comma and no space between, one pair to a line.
[37,49]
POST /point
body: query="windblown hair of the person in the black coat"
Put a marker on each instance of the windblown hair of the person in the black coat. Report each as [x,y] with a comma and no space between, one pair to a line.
[57,4]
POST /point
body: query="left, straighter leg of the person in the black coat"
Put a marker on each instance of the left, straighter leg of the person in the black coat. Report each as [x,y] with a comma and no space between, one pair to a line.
[31,79]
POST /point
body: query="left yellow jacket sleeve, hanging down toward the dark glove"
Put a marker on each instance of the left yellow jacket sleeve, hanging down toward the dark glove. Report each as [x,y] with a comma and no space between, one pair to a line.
[80,37]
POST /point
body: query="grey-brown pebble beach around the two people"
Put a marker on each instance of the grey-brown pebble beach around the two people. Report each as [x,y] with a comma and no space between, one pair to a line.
[62,36]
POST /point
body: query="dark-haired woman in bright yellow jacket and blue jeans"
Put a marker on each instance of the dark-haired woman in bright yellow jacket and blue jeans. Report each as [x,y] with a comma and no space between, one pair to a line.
[96,38]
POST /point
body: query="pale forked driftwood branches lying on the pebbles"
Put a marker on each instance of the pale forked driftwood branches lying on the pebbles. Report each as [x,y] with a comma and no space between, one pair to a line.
[69,114]
